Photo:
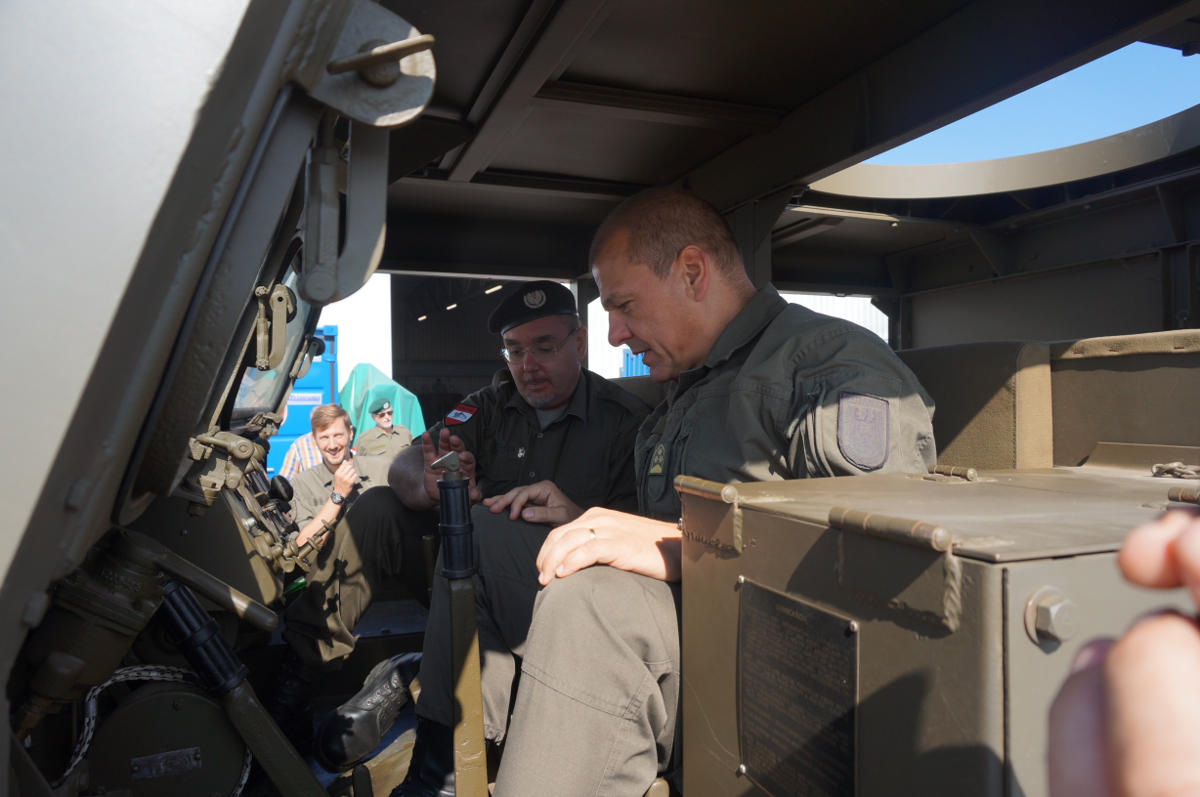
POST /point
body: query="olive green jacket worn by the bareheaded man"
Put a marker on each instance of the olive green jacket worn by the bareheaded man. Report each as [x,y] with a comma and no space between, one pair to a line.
[785,393]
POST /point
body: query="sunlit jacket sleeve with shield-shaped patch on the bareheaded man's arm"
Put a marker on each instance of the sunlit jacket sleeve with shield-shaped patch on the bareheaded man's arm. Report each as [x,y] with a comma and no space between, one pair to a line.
[861,412]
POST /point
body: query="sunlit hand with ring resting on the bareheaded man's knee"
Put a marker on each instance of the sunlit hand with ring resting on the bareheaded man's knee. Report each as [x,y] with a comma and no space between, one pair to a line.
[626,542]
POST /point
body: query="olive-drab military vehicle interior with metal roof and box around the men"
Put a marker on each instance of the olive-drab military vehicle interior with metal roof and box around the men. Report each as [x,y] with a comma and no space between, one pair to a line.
[1048,303]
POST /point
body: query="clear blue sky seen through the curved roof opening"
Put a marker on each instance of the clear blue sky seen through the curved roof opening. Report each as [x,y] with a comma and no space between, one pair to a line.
[1132,87]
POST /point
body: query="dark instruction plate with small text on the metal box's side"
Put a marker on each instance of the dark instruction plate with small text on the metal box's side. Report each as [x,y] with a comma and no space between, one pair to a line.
[797,691]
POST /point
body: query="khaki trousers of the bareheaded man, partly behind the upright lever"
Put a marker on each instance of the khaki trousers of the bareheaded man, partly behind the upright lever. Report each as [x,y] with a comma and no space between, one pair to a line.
[597,708]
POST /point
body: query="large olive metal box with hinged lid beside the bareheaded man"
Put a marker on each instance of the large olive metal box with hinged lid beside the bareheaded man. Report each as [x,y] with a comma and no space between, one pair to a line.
[896,634]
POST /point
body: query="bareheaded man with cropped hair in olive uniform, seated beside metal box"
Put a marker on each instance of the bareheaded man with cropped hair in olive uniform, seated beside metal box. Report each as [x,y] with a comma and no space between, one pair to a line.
[763,391]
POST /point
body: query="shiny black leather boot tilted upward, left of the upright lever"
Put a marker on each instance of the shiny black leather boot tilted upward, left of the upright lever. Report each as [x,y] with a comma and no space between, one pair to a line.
[357,728]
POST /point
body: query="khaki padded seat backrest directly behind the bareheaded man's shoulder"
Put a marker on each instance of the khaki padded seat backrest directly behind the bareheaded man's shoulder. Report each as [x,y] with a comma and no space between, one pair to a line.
[994,403]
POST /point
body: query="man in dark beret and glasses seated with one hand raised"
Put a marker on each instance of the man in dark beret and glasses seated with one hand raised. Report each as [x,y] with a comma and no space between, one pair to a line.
[545,422]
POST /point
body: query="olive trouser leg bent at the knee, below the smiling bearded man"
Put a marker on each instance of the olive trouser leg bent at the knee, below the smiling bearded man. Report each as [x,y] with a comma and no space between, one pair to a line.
[379,540]
